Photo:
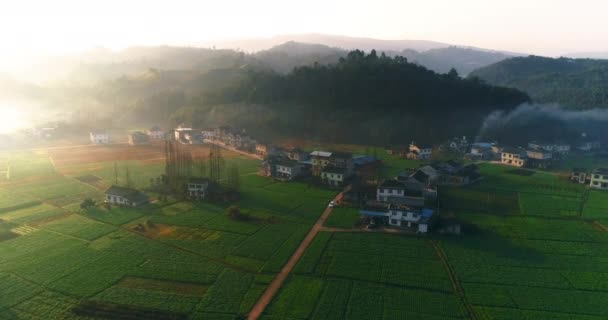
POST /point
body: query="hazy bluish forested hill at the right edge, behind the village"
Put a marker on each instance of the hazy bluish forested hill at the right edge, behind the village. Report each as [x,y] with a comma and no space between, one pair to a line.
[573,83]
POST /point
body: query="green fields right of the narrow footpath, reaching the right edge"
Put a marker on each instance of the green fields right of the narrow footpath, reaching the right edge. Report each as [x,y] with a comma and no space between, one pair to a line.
[534,250]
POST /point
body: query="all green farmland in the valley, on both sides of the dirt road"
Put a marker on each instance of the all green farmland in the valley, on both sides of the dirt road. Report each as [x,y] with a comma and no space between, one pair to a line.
[535,247]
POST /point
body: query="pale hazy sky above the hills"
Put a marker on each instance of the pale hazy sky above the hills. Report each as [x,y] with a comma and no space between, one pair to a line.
[548,27]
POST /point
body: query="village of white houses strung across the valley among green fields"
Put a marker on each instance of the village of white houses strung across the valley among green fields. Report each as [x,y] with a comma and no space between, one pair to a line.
[408,201]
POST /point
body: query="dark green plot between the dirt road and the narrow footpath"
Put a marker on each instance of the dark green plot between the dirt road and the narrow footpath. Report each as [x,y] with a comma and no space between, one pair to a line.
[366,276]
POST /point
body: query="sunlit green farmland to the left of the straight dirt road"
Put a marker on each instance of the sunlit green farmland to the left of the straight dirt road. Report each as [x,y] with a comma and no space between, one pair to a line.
[59,261]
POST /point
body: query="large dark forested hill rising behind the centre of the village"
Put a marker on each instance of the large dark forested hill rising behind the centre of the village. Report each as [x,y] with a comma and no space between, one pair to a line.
[375,98]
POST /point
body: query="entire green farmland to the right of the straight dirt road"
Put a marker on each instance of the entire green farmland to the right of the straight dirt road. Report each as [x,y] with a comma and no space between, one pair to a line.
[534,248]
